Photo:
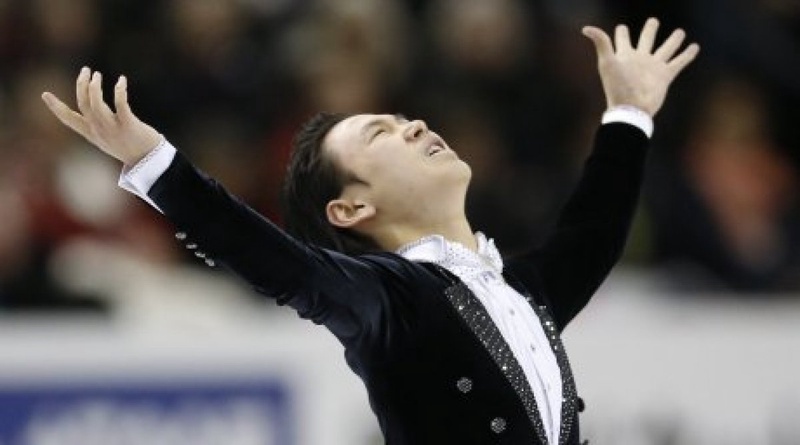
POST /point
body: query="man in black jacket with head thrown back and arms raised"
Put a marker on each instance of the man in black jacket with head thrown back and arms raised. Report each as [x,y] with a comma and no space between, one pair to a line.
[453,344]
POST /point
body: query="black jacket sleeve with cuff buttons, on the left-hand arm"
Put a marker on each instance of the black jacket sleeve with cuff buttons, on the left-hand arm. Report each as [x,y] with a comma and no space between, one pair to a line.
[346,294]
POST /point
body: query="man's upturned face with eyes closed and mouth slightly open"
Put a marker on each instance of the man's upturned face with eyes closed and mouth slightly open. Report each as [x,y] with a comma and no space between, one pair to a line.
[410,173]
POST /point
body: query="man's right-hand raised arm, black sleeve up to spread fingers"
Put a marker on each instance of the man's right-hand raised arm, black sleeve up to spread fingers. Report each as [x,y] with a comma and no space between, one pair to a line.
[591,231]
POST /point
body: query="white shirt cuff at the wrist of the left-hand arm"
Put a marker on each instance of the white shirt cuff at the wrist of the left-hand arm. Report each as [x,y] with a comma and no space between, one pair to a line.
[141,177]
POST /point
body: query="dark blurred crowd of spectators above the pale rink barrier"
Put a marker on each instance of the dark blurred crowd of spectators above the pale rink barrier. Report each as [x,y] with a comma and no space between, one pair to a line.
[511,84]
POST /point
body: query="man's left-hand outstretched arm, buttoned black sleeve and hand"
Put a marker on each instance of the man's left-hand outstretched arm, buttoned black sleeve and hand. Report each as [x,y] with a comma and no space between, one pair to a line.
[321,285]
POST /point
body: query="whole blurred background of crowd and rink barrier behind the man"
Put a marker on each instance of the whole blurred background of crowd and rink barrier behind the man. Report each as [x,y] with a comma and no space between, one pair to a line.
[111,332]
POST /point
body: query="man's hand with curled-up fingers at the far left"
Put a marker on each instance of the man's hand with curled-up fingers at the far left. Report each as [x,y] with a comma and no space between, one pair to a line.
[121,134]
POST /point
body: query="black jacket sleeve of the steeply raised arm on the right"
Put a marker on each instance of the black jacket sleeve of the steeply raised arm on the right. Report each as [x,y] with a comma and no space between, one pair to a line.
[592,228]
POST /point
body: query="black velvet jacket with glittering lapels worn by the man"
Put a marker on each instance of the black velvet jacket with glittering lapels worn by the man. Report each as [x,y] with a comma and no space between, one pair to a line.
[436,368]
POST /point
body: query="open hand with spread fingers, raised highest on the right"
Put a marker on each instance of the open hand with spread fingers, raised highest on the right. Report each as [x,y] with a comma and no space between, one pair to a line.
[639,76]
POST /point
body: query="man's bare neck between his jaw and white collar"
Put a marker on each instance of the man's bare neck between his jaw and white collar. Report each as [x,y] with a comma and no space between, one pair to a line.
[455,230]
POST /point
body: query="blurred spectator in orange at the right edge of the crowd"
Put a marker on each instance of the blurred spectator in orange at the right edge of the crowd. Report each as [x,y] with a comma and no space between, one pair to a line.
[730,219]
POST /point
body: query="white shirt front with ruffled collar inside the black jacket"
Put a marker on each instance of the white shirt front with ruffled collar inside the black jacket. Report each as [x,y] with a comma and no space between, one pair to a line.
[518,323]
